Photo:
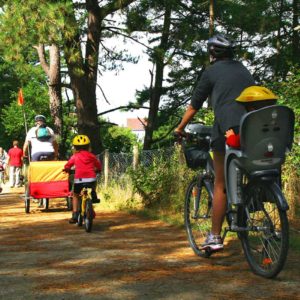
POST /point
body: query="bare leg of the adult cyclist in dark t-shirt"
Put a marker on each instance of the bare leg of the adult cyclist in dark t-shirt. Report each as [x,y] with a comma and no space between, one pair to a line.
[219,201]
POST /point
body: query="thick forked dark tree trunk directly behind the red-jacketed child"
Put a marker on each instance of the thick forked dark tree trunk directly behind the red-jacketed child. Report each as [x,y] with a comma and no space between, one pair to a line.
[83,73]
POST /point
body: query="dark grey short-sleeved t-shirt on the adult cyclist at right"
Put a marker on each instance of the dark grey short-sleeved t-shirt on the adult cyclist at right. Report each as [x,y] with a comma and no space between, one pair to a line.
[223,82]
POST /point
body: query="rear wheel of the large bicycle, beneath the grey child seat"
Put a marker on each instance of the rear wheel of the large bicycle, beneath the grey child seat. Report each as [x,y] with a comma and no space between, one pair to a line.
[266,241]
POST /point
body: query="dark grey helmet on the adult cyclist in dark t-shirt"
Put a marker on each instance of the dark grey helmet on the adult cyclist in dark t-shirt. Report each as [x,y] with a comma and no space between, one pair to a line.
[219,46]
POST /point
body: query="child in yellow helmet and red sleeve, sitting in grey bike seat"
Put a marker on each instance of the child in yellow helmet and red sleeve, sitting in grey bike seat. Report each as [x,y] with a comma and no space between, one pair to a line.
[253,98]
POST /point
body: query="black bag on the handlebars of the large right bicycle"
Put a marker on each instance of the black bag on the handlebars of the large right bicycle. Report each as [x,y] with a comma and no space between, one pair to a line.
[196,150]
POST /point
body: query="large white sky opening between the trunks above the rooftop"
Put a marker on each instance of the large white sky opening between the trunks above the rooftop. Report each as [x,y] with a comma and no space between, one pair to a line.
[120,88]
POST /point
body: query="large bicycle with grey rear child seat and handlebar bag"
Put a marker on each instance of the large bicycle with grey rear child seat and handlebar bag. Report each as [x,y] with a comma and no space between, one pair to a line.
[256,206]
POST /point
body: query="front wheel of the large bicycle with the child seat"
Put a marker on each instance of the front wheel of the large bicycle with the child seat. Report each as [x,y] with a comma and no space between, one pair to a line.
[197,215]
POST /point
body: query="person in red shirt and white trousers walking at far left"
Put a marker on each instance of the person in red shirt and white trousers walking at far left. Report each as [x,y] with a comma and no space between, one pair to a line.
[15,162]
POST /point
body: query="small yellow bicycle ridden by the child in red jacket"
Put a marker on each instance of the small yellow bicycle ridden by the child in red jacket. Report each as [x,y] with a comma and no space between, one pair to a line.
[86,210]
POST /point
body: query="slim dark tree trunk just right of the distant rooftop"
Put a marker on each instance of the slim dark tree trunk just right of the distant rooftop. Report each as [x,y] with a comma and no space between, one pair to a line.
[156,91]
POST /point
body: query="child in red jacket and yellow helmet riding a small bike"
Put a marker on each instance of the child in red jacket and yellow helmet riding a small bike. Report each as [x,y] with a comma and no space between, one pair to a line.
[86,166]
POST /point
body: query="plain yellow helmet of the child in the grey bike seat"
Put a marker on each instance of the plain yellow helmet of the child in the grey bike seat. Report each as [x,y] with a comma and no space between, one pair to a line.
[256,93]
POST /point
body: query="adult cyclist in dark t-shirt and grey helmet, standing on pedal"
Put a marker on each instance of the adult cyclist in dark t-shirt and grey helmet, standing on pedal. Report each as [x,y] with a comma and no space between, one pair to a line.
[222,81]
